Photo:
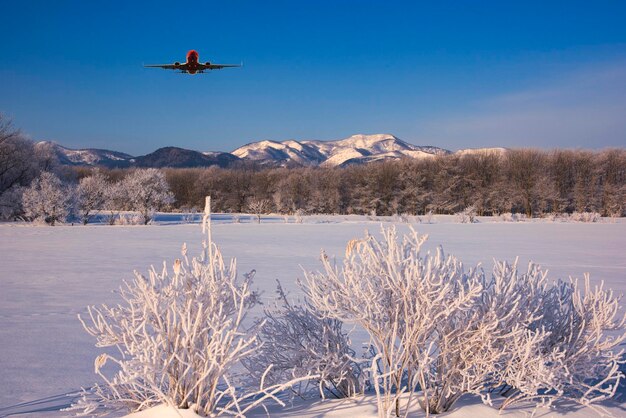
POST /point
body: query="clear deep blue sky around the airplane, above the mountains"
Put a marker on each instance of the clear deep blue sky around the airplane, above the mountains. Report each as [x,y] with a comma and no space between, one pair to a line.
[450,74]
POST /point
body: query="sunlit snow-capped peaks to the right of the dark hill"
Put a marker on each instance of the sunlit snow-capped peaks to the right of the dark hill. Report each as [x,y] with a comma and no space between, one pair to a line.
[353,150]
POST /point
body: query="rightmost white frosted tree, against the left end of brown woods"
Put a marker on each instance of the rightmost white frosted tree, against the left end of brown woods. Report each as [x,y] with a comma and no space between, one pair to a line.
[147,191]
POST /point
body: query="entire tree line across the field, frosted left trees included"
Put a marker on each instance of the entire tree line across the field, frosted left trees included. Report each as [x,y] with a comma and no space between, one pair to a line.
[528,181]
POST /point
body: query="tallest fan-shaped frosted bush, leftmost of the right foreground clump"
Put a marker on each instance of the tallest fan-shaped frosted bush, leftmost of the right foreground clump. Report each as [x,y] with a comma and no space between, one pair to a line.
[400,298]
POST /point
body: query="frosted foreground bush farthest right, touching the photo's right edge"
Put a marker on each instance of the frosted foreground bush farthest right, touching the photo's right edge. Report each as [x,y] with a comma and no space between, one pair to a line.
[575,359]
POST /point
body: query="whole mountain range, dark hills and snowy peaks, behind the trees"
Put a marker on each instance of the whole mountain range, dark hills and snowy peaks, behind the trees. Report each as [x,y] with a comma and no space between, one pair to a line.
[356,149]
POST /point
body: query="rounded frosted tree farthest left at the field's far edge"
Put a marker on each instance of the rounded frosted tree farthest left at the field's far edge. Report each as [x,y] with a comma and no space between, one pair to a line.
[47,199]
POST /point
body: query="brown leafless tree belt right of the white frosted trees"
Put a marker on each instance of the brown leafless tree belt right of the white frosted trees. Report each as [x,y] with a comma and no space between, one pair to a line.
[526,181]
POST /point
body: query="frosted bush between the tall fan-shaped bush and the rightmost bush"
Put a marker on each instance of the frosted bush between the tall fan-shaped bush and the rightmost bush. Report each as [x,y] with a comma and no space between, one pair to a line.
[471,345]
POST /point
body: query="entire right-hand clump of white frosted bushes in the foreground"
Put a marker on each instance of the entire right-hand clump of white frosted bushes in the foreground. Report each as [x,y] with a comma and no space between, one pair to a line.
[445,331]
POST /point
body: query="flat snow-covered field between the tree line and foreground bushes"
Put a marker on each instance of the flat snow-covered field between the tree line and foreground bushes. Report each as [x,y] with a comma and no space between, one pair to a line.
[50,274]
